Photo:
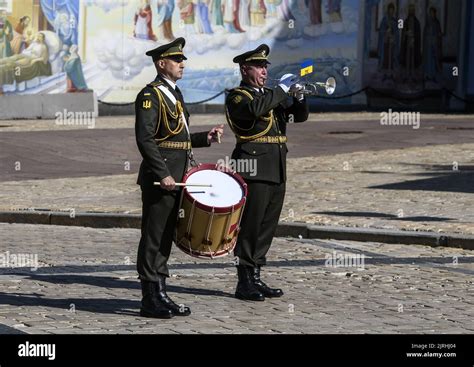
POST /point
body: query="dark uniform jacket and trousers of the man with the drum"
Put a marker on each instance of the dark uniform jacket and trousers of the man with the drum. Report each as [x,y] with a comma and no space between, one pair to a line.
[158,122]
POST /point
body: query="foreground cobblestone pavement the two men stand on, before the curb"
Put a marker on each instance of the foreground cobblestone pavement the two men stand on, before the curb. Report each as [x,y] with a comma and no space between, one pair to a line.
[86,283]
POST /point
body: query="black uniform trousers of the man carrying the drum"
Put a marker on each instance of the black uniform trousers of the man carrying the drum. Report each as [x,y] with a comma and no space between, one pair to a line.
[159,218]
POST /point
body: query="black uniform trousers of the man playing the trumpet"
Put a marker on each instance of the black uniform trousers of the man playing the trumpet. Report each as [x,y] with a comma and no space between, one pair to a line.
[259,222]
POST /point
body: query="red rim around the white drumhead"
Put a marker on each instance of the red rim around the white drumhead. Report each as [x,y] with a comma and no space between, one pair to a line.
[216,167]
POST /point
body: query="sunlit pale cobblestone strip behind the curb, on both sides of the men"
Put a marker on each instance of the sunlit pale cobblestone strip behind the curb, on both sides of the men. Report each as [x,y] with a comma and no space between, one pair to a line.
[420,188]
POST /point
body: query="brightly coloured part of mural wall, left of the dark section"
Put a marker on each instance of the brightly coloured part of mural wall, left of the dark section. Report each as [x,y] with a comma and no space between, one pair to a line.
[71,46]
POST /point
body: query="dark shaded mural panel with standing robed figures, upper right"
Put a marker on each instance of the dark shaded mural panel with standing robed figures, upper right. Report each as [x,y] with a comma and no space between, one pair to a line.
[412,46]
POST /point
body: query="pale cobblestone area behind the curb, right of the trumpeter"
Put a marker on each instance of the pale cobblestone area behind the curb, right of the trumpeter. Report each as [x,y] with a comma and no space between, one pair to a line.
[426,189]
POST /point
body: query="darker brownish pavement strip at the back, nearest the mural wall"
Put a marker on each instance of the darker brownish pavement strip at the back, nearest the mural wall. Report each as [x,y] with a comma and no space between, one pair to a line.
[110,149]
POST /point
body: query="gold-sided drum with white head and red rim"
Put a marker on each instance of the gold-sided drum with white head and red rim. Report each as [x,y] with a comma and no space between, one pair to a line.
[209,217]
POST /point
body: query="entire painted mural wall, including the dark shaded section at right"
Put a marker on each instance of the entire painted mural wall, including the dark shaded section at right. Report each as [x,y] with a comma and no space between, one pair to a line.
[72,46]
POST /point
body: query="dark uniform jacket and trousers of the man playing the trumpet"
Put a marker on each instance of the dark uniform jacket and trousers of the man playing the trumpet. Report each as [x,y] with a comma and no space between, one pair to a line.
[261,114]
